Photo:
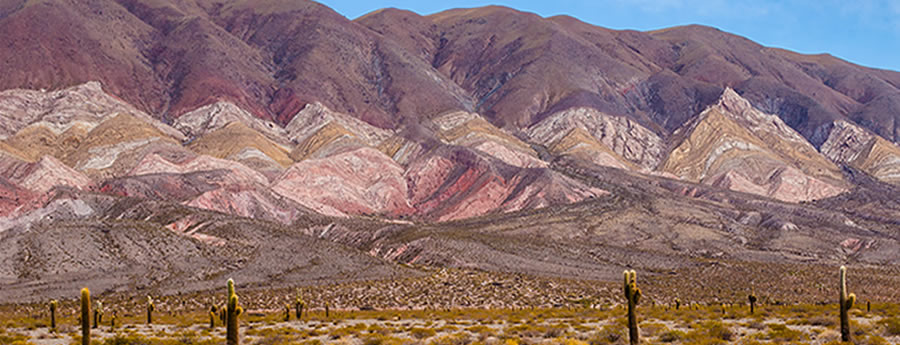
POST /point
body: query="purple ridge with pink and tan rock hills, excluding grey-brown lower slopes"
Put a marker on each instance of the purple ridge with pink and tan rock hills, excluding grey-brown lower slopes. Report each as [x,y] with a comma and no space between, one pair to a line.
[464,112]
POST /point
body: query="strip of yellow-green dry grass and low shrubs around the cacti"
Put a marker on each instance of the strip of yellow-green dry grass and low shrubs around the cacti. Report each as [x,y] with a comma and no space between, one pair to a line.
[694,325]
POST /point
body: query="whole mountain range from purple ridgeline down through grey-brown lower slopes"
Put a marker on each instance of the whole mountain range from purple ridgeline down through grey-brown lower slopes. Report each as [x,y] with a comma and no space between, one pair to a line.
[451,139]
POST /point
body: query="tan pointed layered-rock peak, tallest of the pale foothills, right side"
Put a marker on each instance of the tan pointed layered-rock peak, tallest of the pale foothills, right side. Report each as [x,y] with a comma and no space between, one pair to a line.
[735,146]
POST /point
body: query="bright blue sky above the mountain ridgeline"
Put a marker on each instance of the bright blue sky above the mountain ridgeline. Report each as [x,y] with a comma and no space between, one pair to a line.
[866,32]
